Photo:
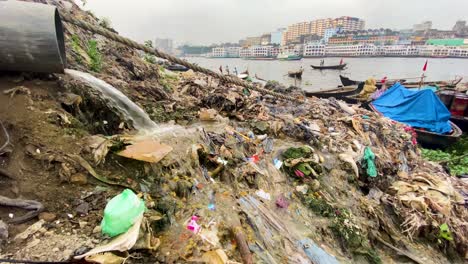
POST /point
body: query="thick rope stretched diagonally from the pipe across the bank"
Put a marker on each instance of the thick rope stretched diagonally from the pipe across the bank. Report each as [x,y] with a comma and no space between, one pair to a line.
[130,43]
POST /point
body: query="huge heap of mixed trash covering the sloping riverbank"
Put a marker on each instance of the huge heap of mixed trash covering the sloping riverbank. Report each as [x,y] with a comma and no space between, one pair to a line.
[228,175]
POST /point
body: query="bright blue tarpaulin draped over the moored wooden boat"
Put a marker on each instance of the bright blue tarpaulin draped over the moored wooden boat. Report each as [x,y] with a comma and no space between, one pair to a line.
[420,109]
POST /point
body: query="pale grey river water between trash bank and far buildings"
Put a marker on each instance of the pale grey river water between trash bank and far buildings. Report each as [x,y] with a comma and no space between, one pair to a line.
[358,69]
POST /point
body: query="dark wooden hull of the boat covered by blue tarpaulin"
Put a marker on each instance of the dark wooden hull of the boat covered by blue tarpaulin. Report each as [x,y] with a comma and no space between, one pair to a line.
[429,139]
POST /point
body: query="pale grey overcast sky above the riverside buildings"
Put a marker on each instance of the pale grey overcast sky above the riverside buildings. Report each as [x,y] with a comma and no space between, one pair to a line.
[215,21]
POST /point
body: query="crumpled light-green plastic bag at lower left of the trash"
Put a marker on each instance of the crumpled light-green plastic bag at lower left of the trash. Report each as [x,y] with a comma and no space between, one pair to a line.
[121,213]
